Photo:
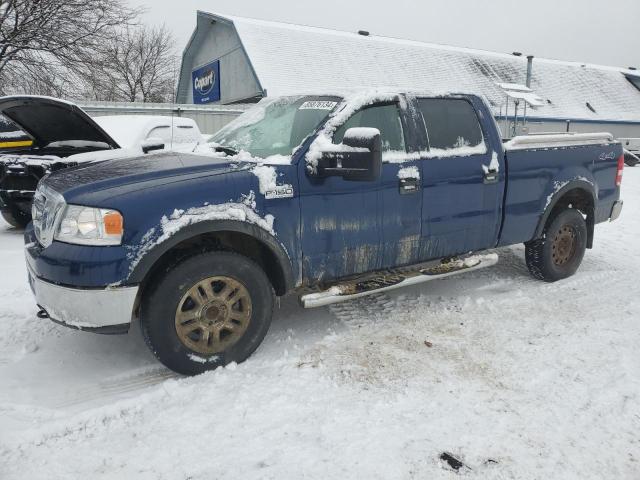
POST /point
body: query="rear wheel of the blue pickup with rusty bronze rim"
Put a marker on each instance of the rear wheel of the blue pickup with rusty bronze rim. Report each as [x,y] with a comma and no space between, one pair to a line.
[560,251]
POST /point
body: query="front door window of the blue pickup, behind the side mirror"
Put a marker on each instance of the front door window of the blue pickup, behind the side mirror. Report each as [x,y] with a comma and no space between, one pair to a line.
[385,118]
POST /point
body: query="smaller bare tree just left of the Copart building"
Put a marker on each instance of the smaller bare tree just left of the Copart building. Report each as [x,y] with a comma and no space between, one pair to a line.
[139,64]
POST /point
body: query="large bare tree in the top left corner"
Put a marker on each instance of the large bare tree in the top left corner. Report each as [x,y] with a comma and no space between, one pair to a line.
[41,41]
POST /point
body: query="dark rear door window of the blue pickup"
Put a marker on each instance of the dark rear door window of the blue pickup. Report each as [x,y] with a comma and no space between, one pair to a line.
[451,123]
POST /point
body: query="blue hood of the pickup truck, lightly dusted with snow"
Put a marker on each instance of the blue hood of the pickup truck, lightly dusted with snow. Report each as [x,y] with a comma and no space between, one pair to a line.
[91,182]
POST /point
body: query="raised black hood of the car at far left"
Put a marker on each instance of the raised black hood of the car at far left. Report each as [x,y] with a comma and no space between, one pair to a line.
[50,120]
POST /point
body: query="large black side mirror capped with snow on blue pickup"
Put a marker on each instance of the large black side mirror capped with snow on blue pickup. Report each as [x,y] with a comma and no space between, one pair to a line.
[357,158]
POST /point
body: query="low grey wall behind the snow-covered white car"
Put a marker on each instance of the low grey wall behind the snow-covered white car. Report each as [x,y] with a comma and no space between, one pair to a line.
[210,118]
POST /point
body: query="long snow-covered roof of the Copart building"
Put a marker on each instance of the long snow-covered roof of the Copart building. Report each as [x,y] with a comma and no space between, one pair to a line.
[291,59]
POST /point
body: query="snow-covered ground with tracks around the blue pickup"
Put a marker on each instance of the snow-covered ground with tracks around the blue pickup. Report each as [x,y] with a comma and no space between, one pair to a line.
[517,378]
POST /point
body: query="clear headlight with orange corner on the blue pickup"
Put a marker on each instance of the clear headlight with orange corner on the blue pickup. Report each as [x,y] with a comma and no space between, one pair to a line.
[90,226]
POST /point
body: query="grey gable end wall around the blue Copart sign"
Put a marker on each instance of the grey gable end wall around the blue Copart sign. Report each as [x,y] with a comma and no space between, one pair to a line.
[218,41]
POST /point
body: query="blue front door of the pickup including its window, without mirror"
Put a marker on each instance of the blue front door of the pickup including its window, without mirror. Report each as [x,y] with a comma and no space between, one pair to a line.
[352,227]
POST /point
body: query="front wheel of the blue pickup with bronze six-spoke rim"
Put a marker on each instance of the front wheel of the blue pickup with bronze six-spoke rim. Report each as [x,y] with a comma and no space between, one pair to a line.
[209,310]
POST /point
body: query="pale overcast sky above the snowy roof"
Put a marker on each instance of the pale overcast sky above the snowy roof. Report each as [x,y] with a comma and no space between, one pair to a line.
[591,31]
